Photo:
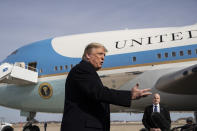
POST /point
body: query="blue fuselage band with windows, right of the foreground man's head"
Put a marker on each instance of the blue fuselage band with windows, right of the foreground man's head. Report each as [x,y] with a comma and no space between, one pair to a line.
[144,57]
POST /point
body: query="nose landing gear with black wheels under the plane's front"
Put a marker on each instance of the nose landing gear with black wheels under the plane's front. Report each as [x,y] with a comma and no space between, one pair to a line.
[30,118]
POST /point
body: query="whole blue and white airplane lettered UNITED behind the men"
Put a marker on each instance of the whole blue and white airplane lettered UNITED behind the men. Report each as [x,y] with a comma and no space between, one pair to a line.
[32,78]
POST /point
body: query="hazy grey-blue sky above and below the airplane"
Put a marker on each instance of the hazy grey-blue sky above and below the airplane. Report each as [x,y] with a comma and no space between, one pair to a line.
[26,21]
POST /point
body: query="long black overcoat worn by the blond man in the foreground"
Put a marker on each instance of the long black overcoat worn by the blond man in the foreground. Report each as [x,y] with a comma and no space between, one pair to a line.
[87,100]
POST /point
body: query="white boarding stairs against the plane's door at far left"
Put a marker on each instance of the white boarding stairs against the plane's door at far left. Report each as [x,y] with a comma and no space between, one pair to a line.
[18,73]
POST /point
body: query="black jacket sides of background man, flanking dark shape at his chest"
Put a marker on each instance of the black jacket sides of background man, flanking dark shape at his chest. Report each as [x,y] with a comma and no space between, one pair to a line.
[148,122]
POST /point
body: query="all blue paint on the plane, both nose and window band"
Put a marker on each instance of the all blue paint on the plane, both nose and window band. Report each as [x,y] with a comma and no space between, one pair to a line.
[43,53]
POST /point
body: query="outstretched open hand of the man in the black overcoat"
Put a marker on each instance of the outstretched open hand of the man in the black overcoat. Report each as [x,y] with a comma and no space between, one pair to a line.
[137,93]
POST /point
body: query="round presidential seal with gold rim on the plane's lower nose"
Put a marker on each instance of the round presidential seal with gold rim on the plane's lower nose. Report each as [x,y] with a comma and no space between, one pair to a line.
[45,90]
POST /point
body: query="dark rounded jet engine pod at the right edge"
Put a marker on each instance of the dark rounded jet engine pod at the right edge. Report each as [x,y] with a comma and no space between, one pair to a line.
[183,81]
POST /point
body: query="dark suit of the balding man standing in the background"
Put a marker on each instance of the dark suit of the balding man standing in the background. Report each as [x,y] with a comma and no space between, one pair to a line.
[156,120]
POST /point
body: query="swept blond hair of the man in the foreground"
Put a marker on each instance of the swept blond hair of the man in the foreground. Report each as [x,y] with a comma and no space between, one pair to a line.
[91,46]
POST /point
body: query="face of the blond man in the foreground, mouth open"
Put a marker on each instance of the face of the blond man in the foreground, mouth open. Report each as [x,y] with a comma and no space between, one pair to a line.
[96,57]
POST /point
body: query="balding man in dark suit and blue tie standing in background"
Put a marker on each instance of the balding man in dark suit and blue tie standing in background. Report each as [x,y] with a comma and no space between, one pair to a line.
[156,117]
